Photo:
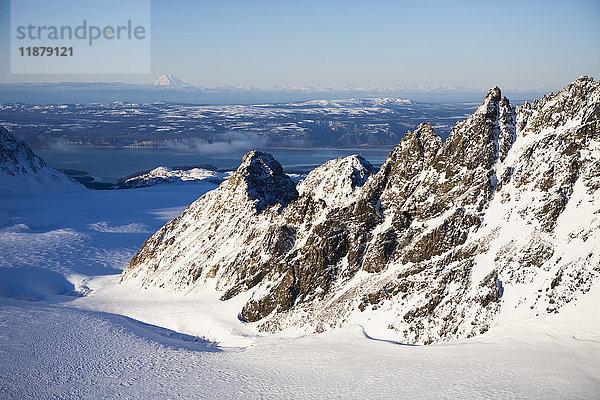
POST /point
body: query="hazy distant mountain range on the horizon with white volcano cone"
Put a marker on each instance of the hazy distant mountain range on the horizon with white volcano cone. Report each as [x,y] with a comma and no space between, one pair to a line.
[172,89]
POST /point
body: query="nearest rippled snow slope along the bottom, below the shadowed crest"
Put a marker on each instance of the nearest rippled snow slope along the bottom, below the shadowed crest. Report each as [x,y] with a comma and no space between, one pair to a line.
[108,356]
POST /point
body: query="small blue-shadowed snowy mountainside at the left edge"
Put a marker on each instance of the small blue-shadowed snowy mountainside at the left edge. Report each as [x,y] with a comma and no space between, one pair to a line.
[21,171]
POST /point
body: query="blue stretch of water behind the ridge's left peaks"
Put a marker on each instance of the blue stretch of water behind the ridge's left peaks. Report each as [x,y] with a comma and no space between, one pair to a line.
[109,165]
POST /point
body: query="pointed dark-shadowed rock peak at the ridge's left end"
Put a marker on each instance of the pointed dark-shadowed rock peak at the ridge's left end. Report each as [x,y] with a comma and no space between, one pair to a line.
[264,181]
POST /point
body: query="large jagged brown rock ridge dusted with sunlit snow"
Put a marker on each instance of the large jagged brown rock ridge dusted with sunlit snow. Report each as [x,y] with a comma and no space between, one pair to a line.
[499,223]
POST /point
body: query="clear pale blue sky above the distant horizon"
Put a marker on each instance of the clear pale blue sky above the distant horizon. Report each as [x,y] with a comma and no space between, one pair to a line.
[527,44]
